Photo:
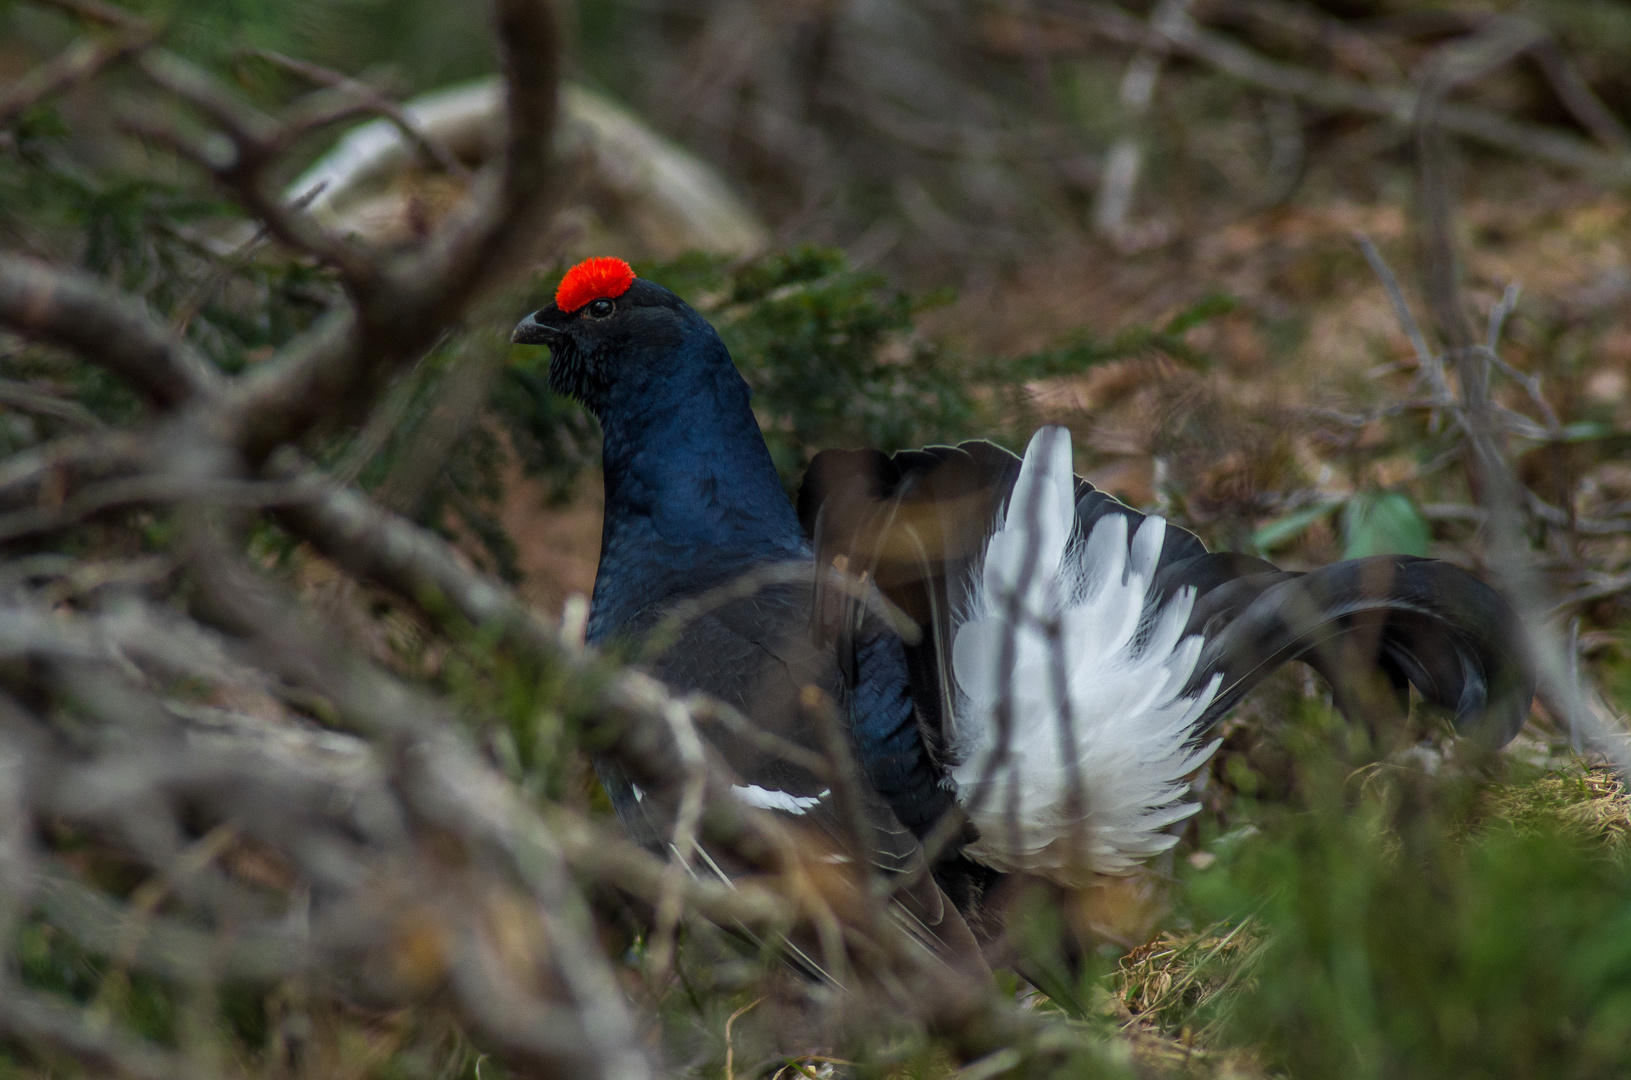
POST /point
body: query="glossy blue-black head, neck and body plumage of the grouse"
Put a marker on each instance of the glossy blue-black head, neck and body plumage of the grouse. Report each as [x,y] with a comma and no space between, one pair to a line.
[694,503]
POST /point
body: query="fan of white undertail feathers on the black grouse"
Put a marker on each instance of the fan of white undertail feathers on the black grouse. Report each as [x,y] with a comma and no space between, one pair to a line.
[1131,732]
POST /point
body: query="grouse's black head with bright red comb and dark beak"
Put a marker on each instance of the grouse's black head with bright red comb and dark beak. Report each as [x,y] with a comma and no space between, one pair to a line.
[614,335]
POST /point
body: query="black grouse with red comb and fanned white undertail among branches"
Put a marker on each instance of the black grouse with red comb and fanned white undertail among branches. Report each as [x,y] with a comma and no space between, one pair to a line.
[1027,668]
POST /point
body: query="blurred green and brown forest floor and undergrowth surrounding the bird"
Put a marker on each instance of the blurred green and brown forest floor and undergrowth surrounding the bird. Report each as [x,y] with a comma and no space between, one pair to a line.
[929,170]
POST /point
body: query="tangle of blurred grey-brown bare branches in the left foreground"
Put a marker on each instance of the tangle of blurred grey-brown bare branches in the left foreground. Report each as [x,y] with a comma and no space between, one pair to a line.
[285,807]
